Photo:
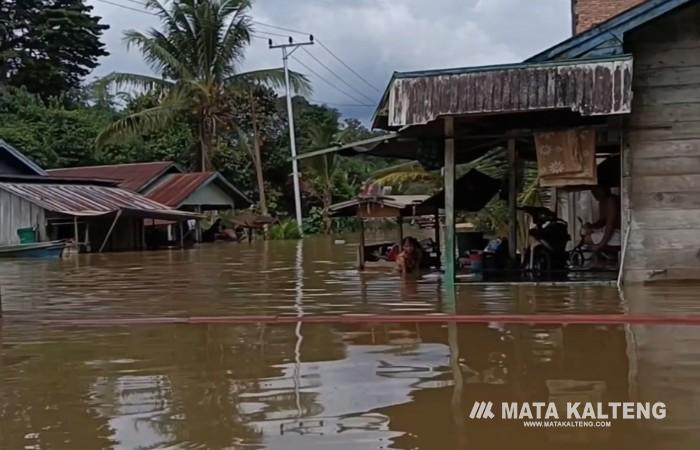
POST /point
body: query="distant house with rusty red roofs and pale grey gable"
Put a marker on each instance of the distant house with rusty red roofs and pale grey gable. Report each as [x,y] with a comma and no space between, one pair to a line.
[165,182]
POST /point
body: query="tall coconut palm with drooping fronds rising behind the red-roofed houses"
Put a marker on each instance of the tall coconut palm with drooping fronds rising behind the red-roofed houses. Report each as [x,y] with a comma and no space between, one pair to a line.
[196,56]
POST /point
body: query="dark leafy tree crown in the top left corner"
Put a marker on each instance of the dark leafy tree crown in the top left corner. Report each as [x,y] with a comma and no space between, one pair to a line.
[49,46]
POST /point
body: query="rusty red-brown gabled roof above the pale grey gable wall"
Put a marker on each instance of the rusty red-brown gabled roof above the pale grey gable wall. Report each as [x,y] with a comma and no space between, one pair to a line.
[174,189]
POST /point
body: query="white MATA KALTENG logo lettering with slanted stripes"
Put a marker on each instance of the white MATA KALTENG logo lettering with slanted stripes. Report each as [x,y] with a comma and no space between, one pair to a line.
[570,410]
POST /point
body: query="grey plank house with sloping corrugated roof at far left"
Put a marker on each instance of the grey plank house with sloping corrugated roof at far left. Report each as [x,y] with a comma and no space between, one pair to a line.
[96,213]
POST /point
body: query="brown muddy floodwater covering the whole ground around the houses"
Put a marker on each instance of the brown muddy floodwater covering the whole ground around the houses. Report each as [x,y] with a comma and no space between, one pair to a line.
[321,386]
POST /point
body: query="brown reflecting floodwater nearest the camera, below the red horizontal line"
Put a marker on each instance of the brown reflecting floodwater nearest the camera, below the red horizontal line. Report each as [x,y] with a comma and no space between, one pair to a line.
[351,386]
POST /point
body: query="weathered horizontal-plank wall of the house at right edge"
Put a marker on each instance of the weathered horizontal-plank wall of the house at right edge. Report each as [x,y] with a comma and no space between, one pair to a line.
[662,155]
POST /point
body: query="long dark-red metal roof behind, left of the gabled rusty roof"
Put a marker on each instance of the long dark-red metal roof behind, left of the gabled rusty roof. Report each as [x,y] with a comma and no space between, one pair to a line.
[135,177]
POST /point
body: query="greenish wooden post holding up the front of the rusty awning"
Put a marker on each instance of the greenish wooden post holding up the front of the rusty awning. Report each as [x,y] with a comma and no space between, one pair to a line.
[449,183]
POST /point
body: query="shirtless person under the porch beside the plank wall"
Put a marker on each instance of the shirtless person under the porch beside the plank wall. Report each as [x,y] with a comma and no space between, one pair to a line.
[605,233]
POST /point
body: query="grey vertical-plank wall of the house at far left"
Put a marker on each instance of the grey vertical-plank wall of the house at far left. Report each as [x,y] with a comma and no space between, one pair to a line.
[15,212]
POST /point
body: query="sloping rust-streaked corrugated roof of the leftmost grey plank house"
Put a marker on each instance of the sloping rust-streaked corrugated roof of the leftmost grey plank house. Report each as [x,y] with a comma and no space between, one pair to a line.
[91,200]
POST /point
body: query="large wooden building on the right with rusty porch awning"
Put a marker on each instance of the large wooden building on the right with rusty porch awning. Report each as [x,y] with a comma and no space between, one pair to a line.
[633,79]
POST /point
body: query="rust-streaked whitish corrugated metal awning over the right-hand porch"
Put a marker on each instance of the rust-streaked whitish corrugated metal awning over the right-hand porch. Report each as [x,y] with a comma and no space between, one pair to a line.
[588,87]
